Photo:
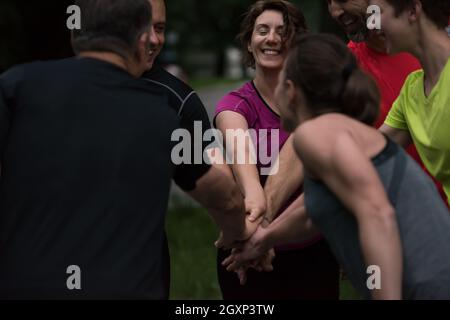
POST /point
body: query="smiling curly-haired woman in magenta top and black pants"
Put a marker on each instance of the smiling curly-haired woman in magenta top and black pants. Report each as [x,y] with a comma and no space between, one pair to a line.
[305,270]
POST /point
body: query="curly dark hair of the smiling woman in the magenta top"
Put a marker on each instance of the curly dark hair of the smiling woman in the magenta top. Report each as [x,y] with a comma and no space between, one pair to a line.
[293,18]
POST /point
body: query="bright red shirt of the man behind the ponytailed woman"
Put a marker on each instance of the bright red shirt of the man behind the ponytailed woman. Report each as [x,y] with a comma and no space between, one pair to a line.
[390,73]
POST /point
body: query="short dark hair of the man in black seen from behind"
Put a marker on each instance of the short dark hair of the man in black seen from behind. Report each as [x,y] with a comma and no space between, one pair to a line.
[111,25]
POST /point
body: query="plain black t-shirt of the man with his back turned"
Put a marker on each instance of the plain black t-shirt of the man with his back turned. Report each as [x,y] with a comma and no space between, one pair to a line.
[85,178]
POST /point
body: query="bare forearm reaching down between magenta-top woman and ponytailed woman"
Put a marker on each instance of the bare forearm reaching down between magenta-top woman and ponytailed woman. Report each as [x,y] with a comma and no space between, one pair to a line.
[280,186]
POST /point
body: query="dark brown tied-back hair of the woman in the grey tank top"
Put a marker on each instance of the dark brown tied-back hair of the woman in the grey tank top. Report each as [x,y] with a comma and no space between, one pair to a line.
[326,72]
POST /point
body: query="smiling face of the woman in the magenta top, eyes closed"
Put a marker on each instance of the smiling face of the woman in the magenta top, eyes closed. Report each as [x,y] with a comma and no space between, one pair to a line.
[267,43]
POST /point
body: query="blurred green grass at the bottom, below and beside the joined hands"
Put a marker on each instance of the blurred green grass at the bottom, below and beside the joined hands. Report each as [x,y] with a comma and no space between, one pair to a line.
[191,236]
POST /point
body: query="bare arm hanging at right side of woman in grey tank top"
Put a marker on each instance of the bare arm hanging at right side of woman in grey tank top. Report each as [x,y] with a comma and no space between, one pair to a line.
[348,172]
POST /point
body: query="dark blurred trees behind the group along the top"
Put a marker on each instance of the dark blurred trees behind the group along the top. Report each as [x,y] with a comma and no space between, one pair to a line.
[200,34]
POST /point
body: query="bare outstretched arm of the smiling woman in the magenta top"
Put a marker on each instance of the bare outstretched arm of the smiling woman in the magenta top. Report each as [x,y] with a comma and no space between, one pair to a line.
[246,174]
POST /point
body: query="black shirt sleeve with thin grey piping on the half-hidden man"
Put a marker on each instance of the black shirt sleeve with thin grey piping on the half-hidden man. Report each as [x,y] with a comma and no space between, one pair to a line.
[186,103]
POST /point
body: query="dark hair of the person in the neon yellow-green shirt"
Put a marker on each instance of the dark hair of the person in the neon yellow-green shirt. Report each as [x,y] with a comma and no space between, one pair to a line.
[437,11]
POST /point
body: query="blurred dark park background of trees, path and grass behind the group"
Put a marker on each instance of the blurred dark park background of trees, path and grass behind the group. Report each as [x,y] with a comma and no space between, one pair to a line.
[200,44]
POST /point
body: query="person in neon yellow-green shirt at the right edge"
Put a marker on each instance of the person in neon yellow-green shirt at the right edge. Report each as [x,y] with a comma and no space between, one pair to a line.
[421,113]
